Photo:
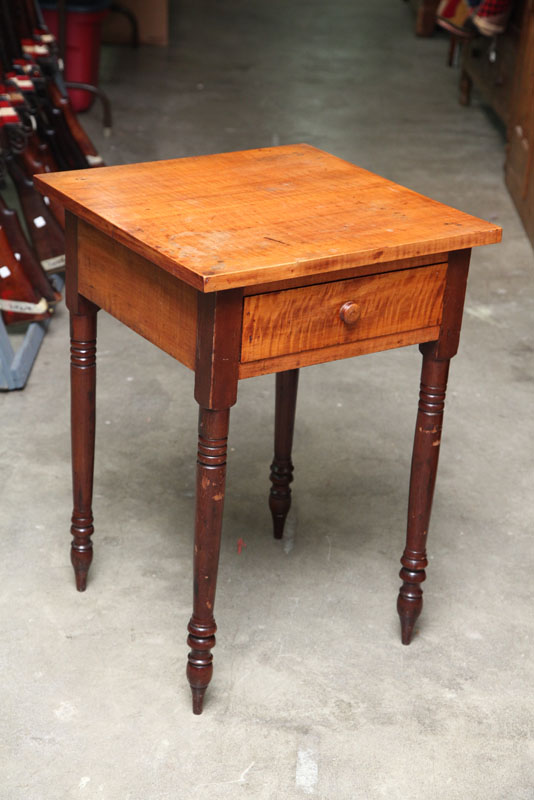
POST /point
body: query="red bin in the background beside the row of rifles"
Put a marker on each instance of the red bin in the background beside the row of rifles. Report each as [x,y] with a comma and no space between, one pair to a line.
[83,50]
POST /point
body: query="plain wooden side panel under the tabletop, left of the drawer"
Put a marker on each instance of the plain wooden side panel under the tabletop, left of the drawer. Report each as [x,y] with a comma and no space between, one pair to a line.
[138,293]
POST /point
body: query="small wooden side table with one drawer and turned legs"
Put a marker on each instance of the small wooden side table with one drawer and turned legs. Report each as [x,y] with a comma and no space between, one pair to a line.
[255,262]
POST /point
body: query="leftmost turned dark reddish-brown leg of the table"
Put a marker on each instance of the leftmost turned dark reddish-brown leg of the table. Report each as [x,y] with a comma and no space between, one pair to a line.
[83,385]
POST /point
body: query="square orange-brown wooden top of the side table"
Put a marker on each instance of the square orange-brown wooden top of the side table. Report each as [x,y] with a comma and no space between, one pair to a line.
[246,218]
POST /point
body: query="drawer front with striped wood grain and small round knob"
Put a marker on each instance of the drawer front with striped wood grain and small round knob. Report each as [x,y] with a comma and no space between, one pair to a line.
[330,314]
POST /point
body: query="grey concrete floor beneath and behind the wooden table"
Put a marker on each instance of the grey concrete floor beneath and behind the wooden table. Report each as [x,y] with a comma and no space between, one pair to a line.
[313,694]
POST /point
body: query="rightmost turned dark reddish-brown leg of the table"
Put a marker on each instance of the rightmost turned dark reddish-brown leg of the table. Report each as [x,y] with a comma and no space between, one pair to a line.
[422,481]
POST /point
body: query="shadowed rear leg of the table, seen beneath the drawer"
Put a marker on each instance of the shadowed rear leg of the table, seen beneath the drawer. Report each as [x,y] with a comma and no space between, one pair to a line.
[282,466]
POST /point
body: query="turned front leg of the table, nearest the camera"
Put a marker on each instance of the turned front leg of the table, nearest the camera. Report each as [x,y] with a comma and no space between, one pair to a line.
[211,478]
